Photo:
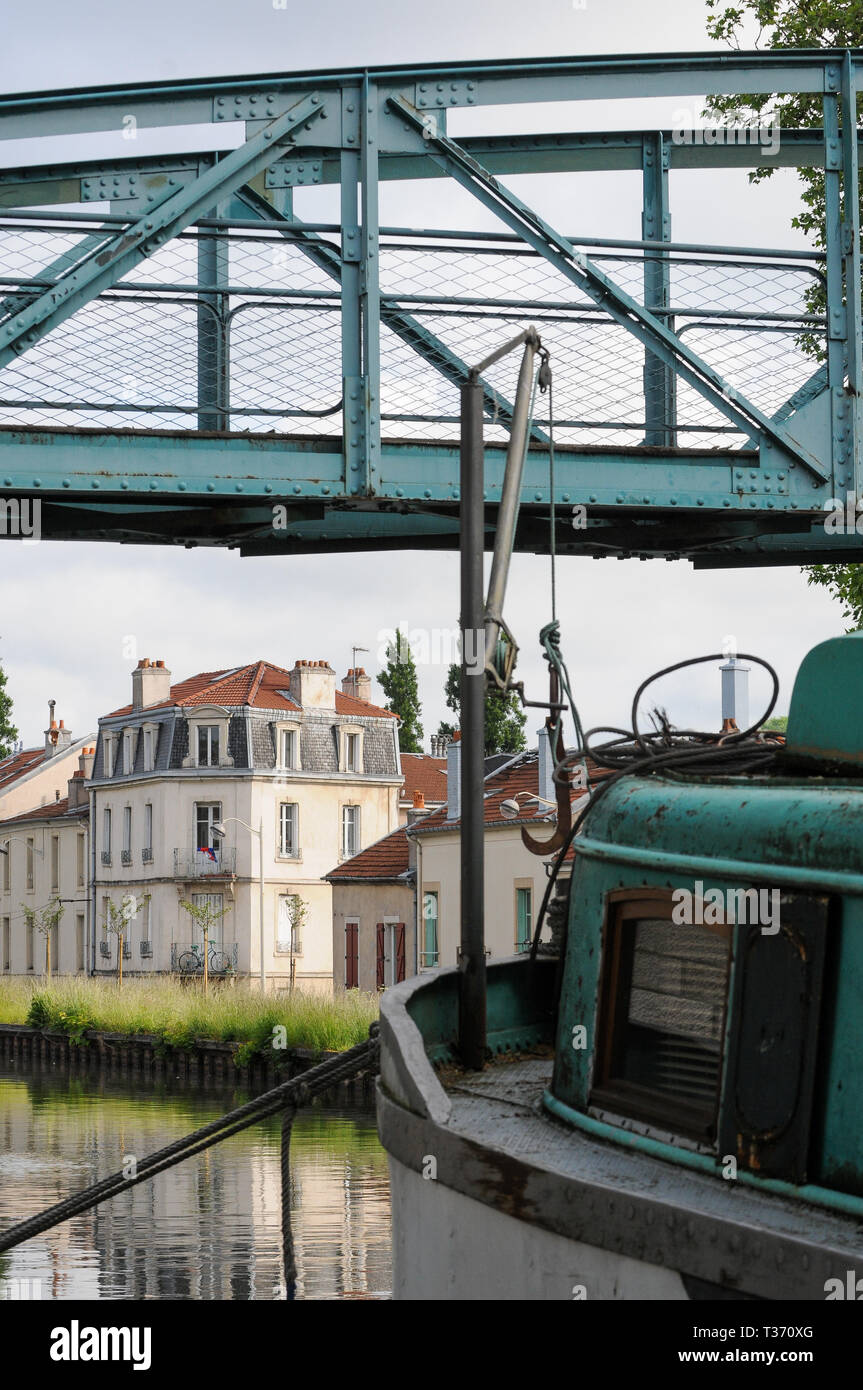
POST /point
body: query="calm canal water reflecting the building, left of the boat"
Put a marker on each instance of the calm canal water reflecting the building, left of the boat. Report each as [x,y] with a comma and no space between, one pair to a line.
[209,1228]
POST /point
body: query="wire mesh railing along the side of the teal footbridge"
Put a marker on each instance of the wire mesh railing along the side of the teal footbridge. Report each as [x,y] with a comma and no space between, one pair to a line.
[234,332]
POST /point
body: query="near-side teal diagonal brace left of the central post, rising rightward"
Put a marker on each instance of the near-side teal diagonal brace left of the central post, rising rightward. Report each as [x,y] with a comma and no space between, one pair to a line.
[109,263]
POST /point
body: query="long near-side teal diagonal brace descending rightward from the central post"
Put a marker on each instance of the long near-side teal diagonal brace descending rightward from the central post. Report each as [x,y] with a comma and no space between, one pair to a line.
[579,269]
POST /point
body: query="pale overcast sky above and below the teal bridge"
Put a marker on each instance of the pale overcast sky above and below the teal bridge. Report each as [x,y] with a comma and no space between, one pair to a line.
[74,619]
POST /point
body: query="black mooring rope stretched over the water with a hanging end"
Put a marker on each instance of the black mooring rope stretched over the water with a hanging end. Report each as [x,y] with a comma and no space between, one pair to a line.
[287,1097]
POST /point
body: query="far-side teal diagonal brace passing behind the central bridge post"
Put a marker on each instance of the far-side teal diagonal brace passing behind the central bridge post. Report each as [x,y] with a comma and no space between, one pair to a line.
[405,326]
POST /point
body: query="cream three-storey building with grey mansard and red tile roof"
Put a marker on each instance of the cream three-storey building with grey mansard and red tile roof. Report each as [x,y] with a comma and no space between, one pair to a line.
[298,772]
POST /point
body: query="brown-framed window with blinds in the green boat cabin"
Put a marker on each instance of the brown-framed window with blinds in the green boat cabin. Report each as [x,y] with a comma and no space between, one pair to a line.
[664,1001]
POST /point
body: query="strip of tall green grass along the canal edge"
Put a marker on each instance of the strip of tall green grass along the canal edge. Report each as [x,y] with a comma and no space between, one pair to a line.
[179,1015]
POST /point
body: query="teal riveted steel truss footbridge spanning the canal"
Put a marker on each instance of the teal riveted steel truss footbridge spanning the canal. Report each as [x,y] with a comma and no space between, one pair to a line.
[201,362]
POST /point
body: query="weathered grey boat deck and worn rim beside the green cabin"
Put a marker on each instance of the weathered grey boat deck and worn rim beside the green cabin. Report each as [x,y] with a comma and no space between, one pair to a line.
[643,1206]
